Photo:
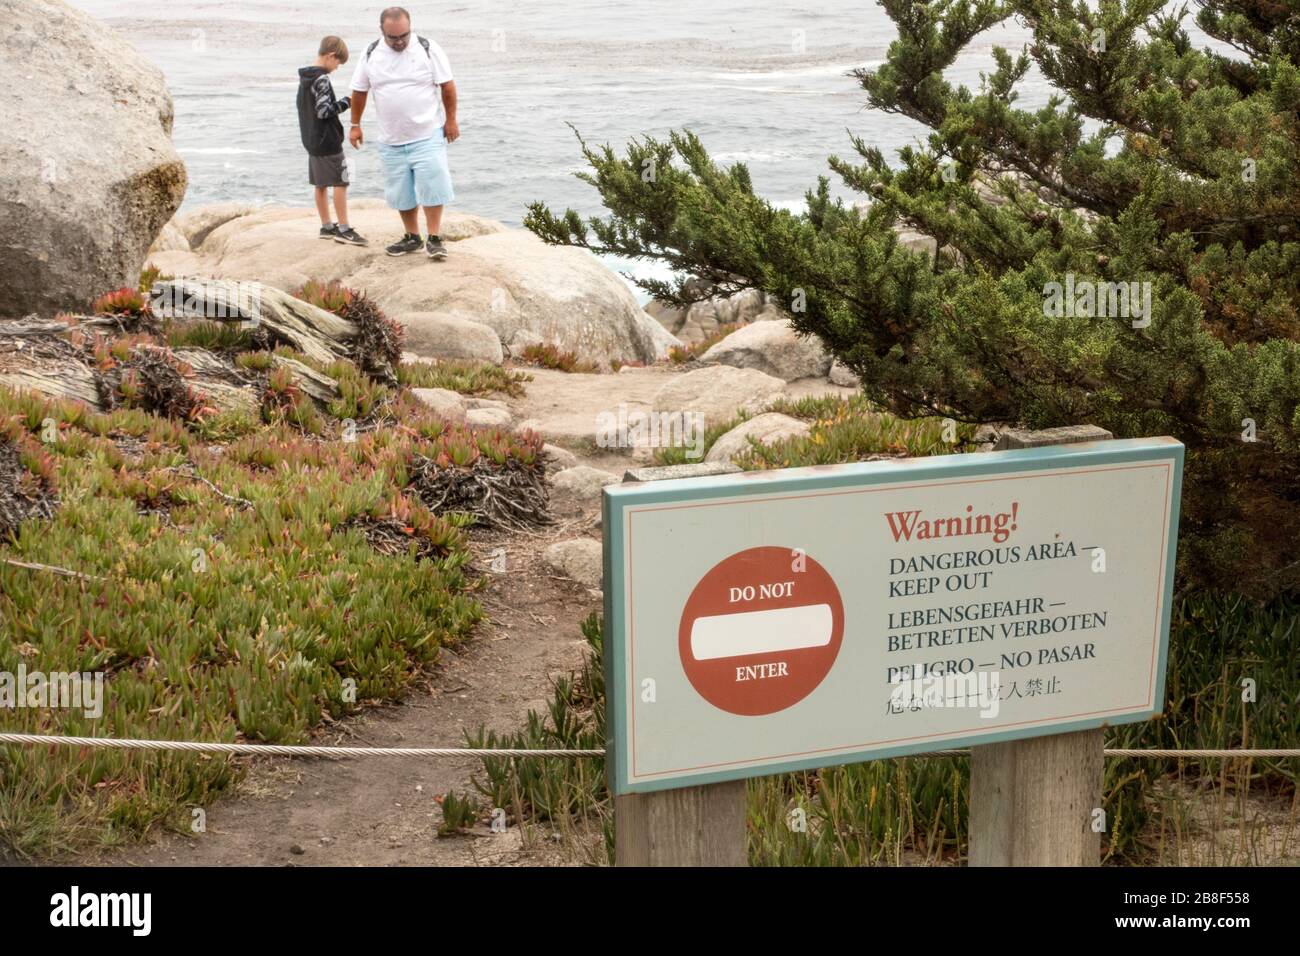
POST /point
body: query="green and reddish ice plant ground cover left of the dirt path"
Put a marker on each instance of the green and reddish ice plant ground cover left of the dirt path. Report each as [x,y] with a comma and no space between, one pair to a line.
[240,577]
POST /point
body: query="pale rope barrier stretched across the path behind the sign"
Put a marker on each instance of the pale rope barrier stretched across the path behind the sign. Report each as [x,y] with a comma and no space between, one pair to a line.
[346,752]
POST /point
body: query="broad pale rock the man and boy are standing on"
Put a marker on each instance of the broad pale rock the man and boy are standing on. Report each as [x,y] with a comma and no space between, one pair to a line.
[499,278]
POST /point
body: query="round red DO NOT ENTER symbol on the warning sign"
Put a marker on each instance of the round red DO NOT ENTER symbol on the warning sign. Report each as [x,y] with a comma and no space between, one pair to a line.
[761,631]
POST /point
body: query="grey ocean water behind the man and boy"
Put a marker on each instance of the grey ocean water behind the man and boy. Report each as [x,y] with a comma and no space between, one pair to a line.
[762,83]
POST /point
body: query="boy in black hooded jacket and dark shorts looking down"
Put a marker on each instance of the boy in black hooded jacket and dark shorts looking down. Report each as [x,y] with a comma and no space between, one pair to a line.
[323,137]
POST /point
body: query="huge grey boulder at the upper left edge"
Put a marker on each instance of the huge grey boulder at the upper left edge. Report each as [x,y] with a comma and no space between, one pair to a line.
[90,174]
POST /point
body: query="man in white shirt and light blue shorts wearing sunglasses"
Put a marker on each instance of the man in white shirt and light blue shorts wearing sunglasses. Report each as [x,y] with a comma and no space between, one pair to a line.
[415,101]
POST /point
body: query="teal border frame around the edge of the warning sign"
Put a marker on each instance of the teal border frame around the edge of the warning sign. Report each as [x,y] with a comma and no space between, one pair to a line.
[618,499]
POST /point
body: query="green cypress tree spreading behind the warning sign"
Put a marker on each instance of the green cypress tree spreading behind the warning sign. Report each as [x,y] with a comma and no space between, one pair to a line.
[1158,161]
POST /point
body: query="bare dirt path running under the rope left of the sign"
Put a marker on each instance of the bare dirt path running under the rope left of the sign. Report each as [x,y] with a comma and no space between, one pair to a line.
[382,811]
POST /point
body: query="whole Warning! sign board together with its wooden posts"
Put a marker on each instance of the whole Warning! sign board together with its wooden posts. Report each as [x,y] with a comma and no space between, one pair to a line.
[764,622]
